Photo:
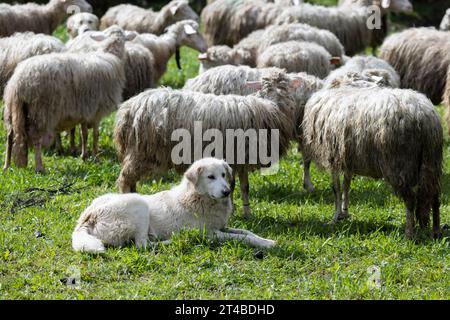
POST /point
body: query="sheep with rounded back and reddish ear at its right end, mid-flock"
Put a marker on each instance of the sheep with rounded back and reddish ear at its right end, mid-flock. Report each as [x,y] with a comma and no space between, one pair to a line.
[297,56]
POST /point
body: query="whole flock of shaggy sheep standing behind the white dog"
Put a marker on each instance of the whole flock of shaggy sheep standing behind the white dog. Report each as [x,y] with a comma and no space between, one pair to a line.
[282,65]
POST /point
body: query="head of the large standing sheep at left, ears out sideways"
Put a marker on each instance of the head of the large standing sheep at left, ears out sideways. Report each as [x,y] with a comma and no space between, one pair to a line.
[113,39]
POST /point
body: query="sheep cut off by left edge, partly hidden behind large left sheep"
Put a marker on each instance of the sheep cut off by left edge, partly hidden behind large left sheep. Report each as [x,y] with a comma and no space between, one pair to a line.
[22,46]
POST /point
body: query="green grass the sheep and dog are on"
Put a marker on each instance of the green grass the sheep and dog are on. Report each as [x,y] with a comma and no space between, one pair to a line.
[314,260]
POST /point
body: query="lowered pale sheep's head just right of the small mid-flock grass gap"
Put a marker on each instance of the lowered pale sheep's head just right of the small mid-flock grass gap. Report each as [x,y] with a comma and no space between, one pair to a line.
[222,55]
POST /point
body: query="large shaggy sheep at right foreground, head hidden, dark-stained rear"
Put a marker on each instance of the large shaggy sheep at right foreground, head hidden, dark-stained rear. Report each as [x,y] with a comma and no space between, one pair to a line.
[358,128]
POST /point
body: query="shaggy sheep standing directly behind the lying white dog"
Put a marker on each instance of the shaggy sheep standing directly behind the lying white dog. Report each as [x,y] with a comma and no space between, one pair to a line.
[145,124]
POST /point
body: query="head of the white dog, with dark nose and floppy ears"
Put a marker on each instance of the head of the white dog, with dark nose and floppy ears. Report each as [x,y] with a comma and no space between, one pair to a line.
[210,177]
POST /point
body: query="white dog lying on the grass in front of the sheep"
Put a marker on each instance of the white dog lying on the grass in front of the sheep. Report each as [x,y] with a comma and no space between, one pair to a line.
[202,201]
